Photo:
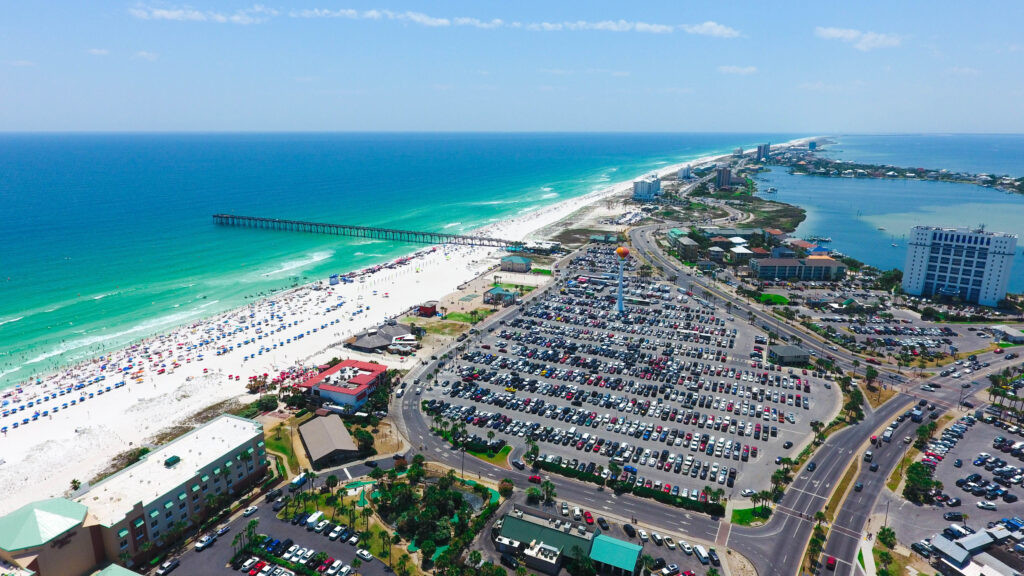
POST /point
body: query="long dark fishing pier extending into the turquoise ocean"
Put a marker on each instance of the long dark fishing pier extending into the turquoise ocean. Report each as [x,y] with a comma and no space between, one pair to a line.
[409,236]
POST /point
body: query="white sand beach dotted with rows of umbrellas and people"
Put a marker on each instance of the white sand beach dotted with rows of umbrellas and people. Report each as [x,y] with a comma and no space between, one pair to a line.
[175,376]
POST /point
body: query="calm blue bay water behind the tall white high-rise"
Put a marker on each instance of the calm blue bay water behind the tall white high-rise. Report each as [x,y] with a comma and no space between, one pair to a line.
[855,212]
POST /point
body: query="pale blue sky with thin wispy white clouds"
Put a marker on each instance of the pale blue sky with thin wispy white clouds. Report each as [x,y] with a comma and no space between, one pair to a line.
[527,66]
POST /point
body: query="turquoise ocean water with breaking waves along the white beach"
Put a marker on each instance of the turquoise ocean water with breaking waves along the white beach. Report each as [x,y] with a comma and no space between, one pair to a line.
[108,239]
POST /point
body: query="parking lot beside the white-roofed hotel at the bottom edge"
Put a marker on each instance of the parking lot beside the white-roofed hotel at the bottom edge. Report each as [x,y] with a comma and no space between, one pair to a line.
[216,560]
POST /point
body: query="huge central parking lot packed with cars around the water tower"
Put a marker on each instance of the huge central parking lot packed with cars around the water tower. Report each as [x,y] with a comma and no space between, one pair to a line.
[677,392]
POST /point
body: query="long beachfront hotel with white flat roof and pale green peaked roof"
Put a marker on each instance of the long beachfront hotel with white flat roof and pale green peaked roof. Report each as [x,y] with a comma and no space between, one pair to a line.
[126,518]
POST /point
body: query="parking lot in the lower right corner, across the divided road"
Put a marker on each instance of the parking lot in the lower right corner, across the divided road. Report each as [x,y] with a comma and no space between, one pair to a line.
[914,523]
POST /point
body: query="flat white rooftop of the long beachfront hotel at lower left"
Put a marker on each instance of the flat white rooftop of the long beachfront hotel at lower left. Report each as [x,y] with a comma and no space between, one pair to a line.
[150,480]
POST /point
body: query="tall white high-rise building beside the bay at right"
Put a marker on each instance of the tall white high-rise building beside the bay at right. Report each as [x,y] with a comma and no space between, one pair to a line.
[971,265]
